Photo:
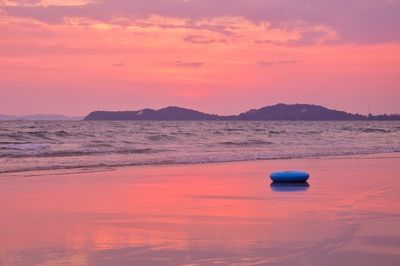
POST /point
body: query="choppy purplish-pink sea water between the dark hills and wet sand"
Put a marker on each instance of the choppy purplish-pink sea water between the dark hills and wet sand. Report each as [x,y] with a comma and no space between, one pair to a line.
[29,146]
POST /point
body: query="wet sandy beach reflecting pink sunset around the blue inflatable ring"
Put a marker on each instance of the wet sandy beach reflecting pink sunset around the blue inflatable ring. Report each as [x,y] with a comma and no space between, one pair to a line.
[222,214]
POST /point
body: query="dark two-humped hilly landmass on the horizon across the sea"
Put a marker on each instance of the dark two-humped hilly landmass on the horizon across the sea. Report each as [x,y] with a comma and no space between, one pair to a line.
[279,112]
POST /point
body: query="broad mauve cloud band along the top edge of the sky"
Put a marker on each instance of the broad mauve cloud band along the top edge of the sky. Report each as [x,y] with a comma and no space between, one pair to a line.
[367,21]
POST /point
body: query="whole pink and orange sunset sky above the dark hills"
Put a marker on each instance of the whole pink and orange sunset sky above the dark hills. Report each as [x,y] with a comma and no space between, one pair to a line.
[218,56]
